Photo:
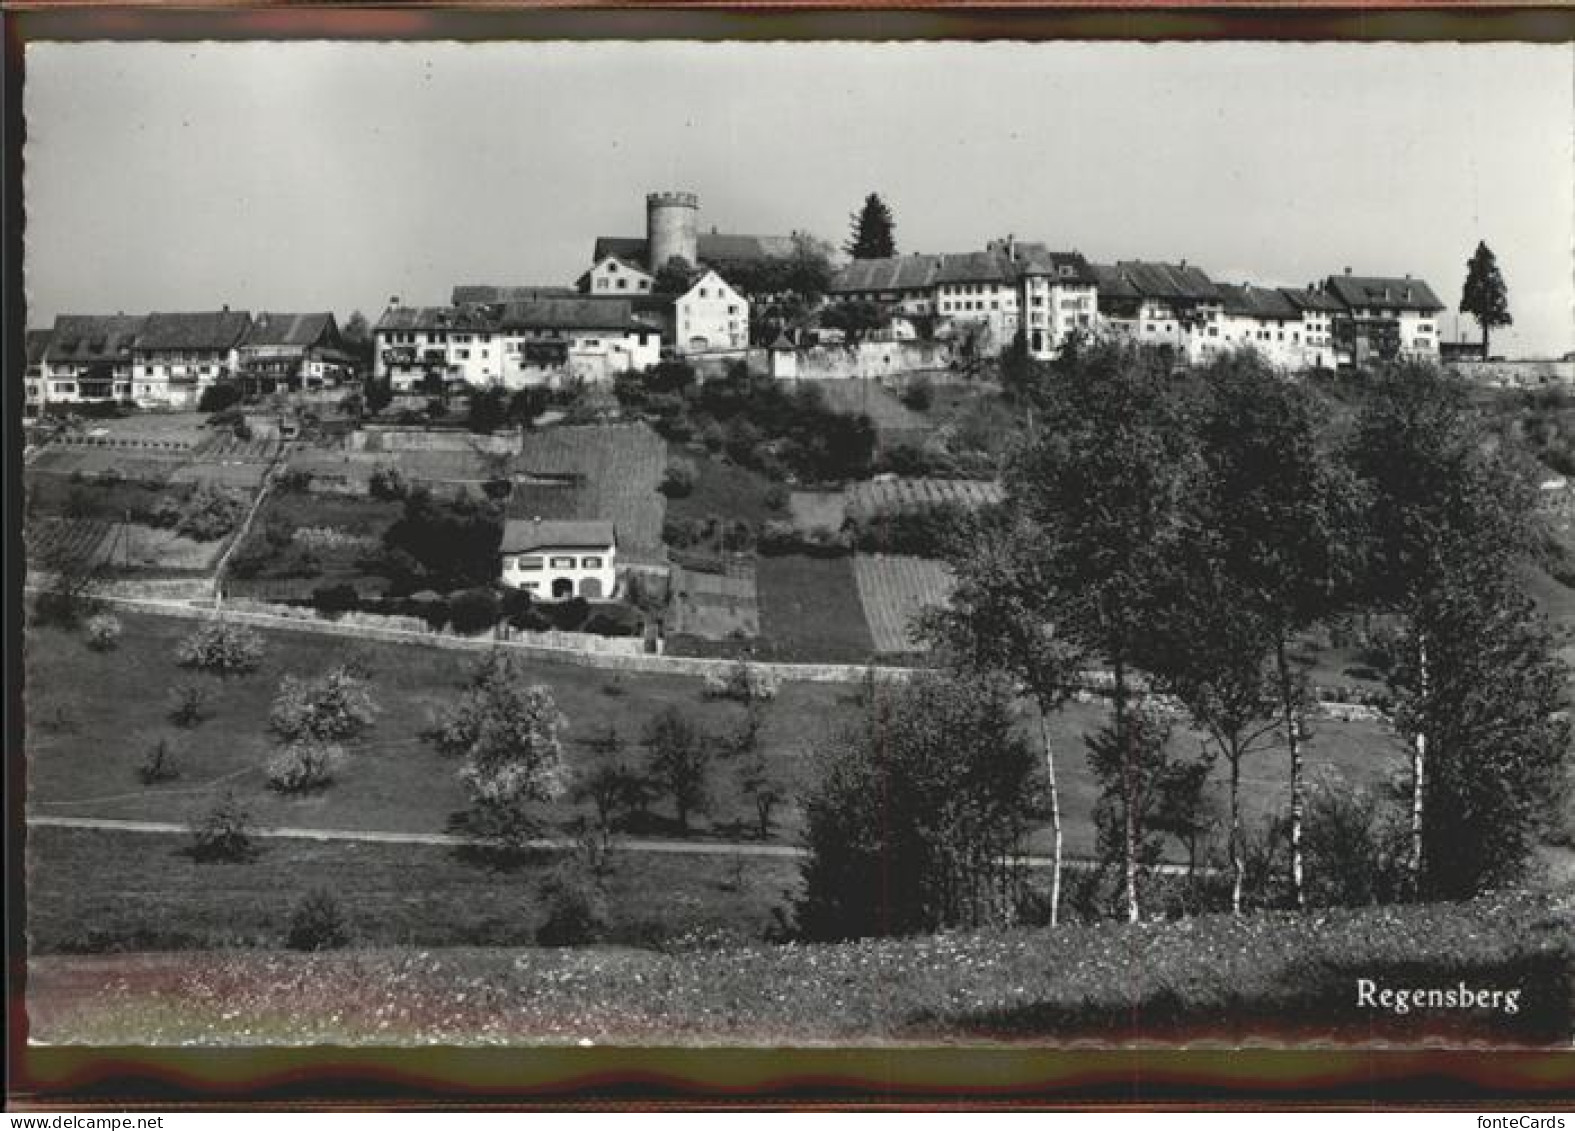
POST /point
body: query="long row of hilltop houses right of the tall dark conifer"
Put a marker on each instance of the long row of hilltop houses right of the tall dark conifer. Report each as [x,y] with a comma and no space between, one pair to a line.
[1026,289]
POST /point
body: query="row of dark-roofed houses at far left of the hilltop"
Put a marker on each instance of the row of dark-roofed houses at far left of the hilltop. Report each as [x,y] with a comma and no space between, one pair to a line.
[169,360]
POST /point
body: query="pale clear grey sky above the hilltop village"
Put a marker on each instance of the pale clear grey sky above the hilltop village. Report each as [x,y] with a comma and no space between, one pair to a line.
[335,176]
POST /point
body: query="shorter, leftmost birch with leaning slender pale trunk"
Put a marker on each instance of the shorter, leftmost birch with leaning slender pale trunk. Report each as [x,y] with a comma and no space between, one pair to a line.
[999,620]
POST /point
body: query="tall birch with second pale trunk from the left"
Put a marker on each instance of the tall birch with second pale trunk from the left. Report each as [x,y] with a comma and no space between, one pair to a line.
[1103,481]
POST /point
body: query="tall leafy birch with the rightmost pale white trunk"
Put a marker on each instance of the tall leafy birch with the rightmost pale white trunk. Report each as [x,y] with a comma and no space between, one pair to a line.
[1447,514]
